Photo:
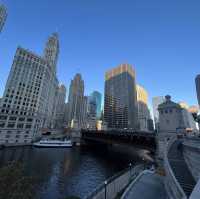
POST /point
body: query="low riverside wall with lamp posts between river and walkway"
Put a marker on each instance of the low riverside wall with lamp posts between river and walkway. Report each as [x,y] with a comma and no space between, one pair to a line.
[114,185]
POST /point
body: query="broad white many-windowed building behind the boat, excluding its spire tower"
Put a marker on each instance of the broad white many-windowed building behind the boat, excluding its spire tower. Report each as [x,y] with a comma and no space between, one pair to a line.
[28,99]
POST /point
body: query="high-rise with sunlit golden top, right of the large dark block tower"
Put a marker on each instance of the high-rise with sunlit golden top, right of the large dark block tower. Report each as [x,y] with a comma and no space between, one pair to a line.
[143,110]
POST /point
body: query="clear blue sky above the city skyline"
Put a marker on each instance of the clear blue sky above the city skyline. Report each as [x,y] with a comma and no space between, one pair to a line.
[160,38]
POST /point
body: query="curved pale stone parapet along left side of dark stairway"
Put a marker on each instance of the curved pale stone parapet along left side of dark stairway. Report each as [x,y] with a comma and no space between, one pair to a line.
[173,187]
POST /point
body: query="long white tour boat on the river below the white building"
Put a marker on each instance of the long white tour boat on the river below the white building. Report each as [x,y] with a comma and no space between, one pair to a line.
[53,143]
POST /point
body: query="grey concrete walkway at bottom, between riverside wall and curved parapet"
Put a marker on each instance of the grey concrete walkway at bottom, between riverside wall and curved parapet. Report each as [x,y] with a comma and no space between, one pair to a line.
[148,186]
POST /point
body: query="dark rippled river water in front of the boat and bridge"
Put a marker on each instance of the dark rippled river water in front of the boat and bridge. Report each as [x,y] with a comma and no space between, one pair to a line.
[63,172]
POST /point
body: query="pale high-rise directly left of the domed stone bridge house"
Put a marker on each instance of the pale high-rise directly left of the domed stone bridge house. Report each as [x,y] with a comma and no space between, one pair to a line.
[156,101]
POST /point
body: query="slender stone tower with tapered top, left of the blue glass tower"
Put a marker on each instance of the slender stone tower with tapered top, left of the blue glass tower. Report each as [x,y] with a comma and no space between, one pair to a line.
[76,100]
